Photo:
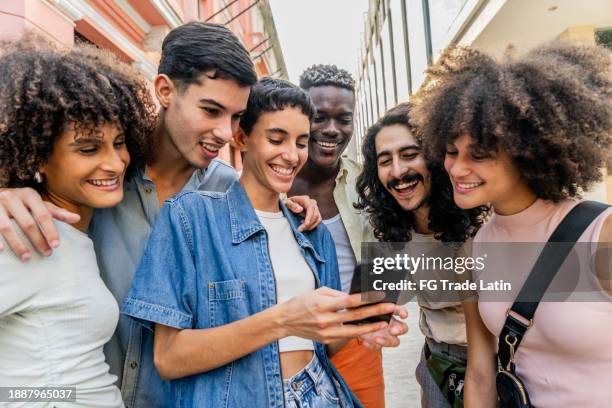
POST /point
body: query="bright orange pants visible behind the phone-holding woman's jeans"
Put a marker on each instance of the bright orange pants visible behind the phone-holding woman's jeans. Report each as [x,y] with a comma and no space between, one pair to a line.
[361,368]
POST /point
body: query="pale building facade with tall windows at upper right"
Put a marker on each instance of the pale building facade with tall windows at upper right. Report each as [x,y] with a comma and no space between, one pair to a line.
[403,37]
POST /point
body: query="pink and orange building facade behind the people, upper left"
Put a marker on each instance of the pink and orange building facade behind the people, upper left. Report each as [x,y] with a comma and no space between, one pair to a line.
[16,16]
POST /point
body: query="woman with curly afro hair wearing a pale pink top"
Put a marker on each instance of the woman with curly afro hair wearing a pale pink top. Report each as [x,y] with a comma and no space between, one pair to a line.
[527,134]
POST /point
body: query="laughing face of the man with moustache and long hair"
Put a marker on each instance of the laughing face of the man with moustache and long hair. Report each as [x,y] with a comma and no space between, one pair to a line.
[401,167]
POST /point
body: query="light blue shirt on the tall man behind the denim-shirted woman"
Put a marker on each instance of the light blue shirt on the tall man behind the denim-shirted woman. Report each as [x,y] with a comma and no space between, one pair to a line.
[120,235]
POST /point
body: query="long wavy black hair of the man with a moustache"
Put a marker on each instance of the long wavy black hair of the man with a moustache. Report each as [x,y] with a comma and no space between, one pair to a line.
[391,222]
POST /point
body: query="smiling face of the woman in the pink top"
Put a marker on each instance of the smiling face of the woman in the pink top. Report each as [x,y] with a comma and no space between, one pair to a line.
[480,179]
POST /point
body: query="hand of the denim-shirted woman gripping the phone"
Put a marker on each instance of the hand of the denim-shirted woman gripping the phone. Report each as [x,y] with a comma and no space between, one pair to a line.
[319,316]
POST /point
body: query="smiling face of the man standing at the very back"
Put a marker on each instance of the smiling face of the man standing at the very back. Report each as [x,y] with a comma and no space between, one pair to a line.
[332,126]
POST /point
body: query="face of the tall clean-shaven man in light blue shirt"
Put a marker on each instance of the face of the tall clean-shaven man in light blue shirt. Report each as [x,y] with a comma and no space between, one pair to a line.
[201,118]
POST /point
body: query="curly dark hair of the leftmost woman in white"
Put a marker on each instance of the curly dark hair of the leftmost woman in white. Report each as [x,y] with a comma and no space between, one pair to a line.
[44,89]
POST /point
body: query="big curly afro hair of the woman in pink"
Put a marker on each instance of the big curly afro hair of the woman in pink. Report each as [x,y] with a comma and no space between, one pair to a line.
[549,109]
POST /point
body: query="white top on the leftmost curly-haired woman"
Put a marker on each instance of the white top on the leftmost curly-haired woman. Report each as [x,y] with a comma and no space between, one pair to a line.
[56,314]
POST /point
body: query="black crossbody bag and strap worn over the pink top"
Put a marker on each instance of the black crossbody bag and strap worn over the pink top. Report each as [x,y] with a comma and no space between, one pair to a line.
[519,318]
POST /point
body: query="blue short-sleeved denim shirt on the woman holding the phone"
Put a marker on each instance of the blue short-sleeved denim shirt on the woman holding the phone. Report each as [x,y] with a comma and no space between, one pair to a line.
[206,265]
